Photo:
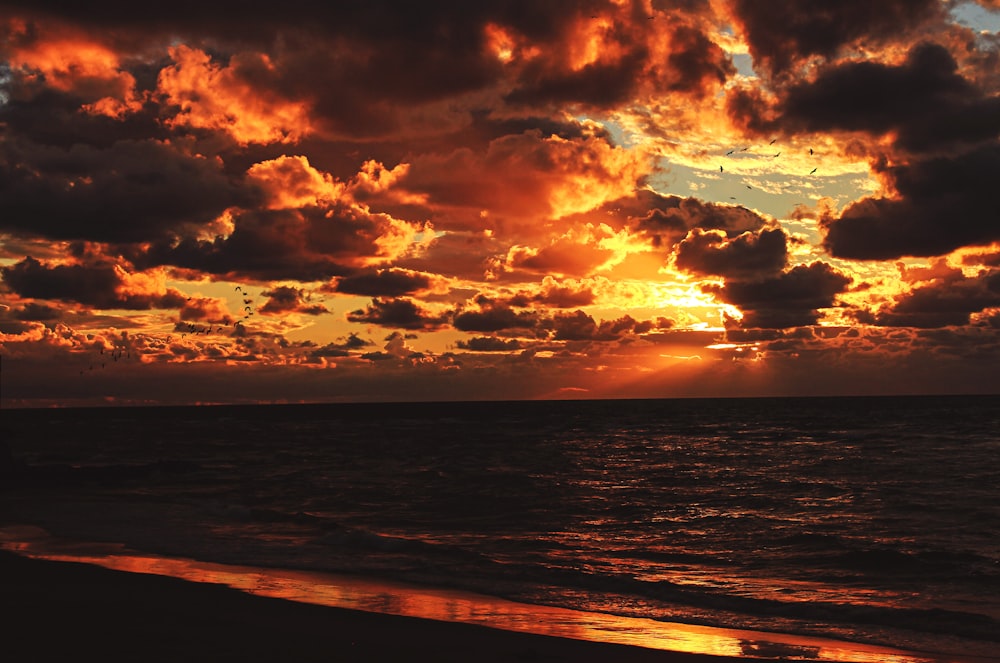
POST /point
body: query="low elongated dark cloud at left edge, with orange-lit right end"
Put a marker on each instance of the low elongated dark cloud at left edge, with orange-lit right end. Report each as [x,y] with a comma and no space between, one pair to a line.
[101,286]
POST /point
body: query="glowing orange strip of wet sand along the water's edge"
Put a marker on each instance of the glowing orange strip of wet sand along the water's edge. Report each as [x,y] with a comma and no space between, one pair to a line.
[454,606]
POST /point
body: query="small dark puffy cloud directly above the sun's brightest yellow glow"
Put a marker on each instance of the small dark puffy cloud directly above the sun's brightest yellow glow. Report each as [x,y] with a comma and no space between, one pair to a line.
[744,256]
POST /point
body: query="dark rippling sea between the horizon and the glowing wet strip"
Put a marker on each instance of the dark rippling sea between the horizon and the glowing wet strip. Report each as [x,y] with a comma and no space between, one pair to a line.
[872,520]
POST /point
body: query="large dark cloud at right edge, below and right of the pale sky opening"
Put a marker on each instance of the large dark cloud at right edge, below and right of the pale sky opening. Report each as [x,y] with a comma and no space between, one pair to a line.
[942,204]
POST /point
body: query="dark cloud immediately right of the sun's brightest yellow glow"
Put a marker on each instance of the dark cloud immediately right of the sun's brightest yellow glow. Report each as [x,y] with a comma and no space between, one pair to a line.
[790,299]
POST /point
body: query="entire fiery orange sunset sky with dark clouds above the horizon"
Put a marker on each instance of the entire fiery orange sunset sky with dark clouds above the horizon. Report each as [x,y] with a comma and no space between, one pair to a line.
[216,202]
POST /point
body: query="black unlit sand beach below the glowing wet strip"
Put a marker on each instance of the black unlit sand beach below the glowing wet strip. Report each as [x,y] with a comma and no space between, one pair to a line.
[67,611]
